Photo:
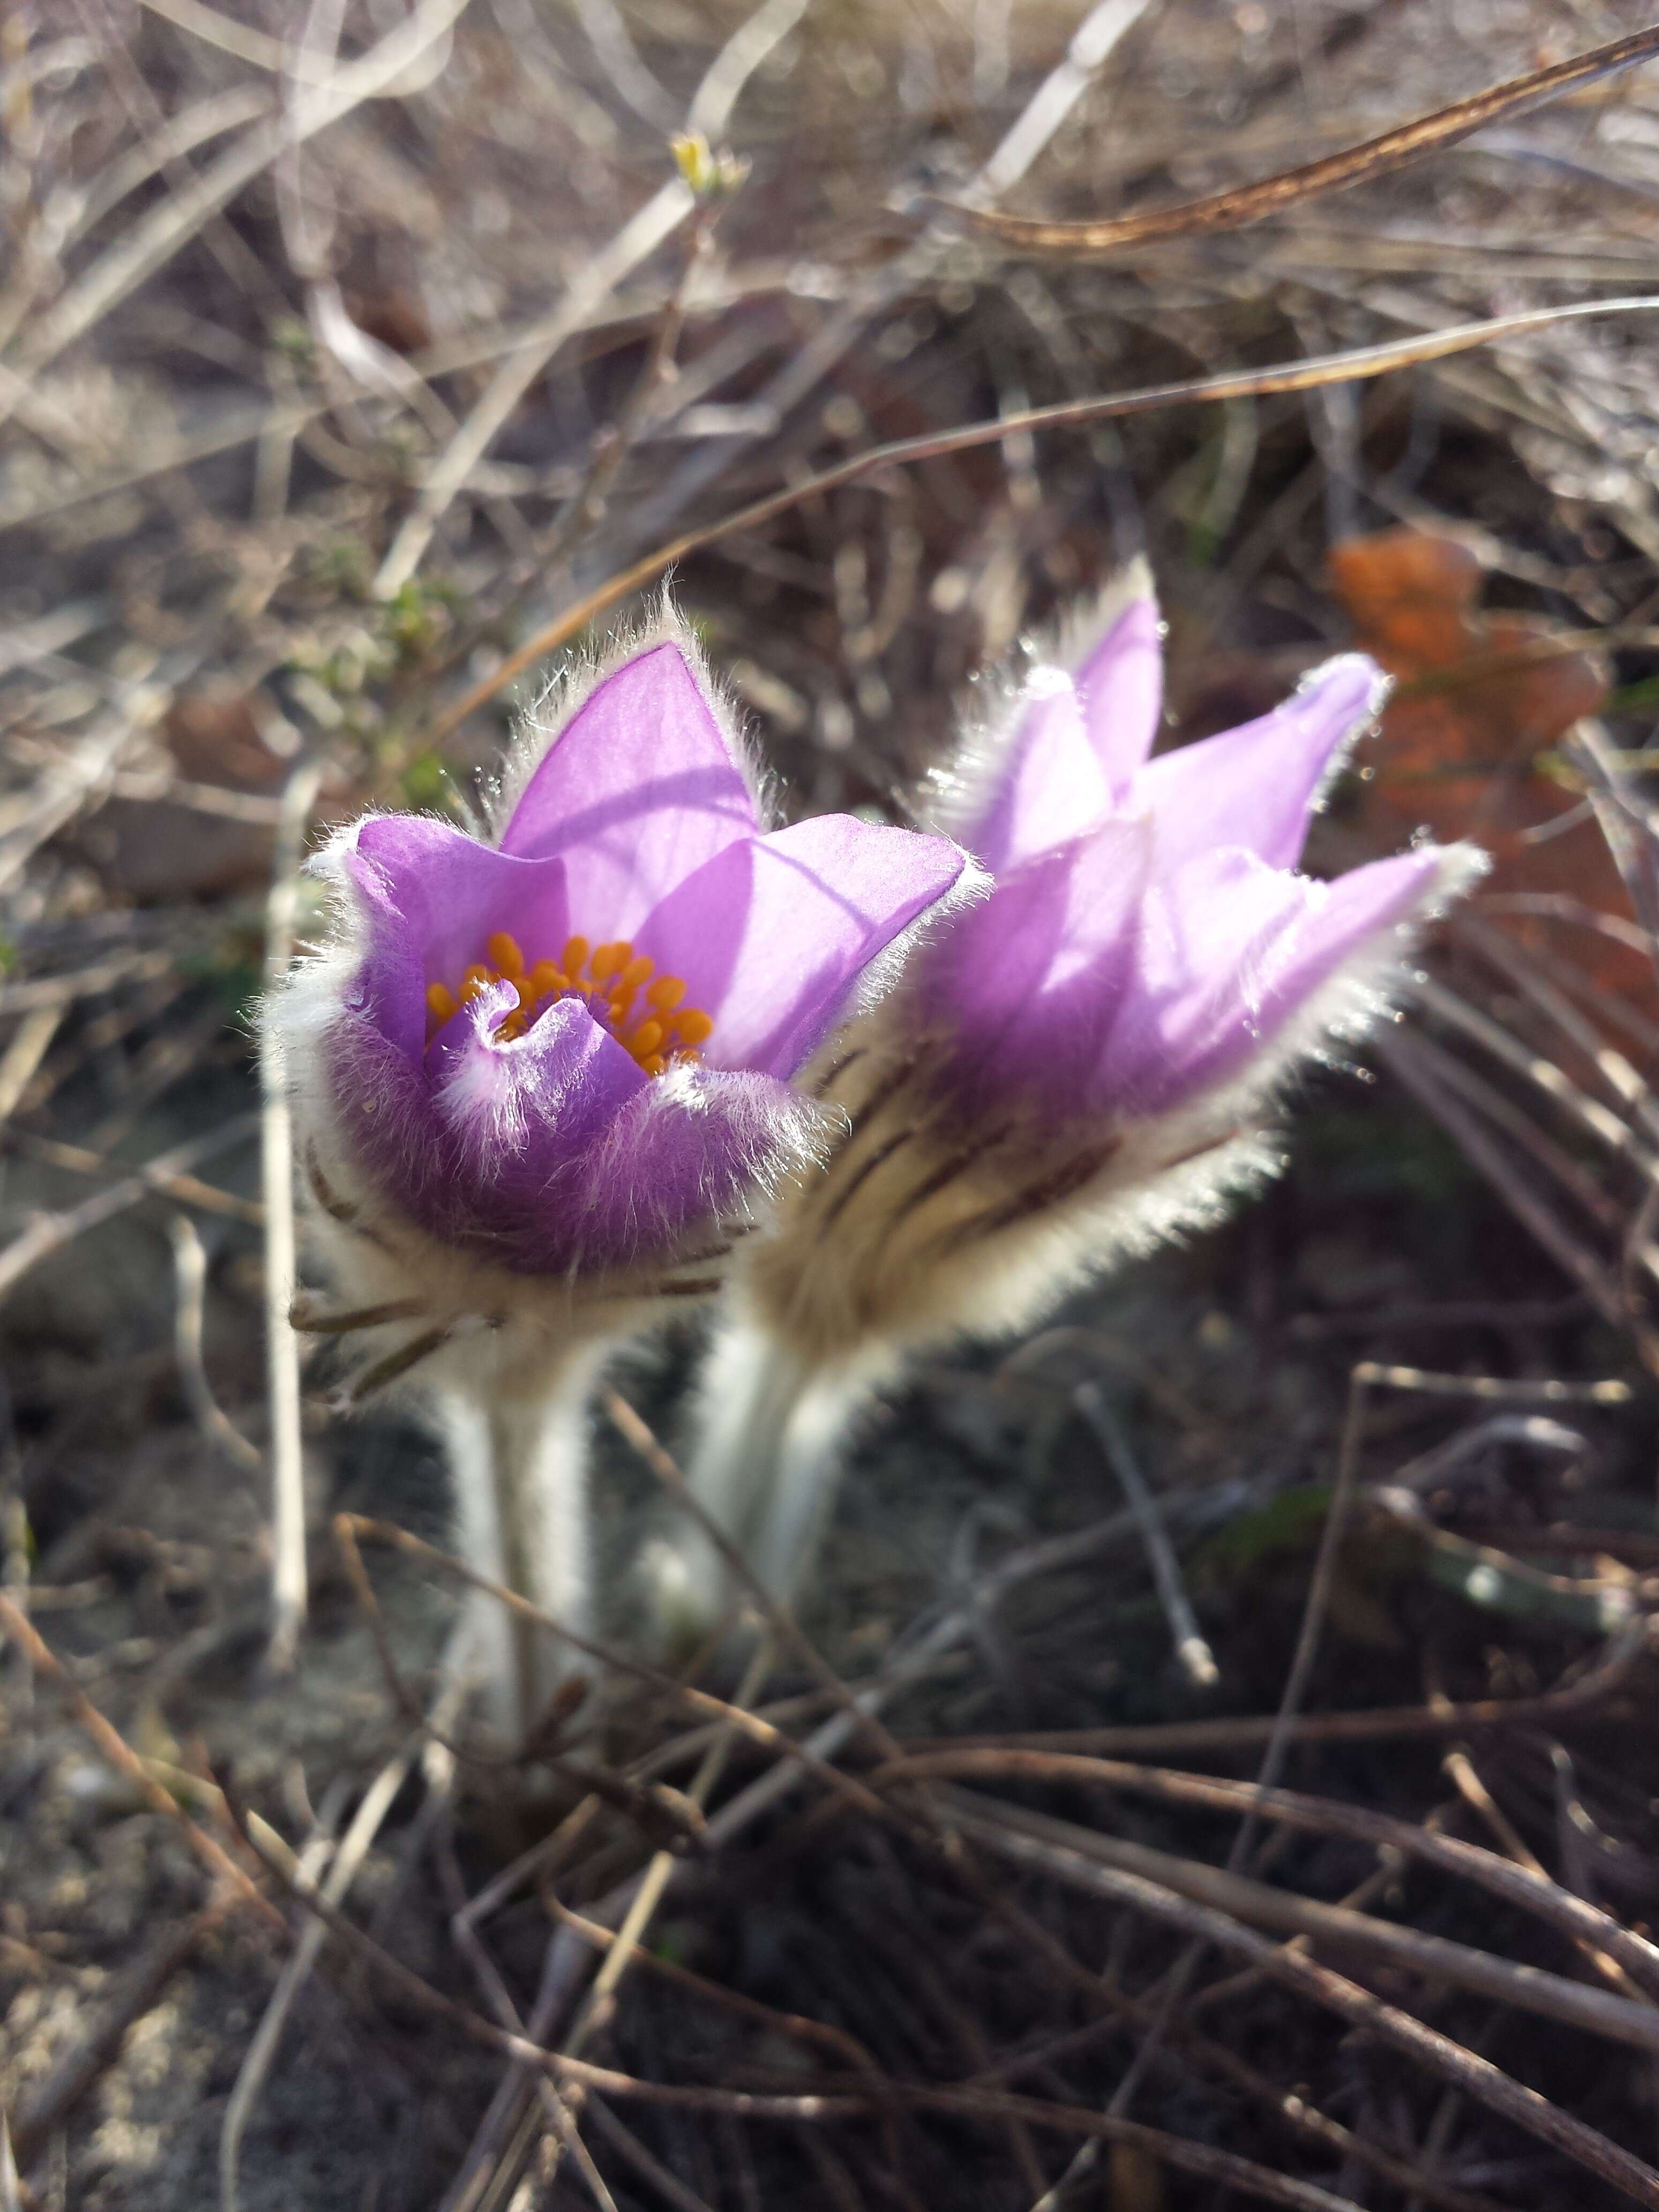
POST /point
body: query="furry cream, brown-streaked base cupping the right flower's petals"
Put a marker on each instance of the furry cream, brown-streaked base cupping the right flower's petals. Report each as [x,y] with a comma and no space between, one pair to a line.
[921,1233]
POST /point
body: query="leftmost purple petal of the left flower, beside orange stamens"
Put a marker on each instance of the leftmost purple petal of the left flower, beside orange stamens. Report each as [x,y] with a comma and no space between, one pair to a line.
[432,899]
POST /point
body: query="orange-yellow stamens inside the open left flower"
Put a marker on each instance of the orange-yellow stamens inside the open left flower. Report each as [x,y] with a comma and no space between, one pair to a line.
[656,1027]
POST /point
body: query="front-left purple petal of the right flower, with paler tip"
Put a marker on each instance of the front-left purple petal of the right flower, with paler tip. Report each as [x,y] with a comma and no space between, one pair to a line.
[1032,981]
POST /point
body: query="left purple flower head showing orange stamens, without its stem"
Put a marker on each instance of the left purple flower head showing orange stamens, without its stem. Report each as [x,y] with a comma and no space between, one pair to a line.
[567,1050]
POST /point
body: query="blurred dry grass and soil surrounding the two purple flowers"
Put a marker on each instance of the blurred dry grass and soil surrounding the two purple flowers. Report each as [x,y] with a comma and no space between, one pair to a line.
[348,346]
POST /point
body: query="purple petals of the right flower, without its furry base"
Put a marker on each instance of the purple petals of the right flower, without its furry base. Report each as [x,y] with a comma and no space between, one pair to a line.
[1149,939]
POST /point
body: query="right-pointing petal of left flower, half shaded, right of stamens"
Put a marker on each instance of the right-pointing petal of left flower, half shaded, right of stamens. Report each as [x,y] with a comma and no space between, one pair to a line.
[773,935]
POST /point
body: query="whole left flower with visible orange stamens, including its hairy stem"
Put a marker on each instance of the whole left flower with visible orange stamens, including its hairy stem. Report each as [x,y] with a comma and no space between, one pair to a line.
[543,1076]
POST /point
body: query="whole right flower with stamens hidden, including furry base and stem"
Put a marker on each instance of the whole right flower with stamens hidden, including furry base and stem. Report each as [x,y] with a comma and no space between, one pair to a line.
[1076,1067]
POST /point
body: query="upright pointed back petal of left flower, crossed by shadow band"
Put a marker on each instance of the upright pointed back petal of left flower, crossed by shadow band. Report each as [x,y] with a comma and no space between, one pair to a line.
[638,793]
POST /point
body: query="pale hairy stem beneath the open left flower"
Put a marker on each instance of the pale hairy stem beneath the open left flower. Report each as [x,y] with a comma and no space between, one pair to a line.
[521,1479]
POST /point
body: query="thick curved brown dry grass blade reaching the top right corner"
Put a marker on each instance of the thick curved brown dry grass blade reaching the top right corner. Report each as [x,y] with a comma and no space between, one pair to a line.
[1357,165]
